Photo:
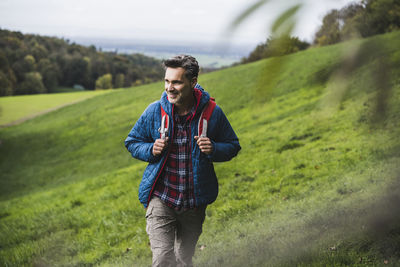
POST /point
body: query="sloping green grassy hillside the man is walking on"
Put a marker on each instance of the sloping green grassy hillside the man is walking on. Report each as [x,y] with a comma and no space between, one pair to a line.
[314,185]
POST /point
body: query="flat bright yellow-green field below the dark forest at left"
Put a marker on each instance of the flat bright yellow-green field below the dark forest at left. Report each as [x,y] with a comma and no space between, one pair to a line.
[18,108]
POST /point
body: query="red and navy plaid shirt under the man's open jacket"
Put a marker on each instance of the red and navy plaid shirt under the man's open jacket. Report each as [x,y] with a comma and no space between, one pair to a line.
[175,186]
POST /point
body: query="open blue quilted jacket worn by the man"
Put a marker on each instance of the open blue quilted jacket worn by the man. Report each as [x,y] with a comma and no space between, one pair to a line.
[143,134]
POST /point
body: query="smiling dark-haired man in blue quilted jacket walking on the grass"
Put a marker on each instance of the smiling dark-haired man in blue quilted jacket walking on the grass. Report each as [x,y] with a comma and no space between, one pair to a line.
[179,181]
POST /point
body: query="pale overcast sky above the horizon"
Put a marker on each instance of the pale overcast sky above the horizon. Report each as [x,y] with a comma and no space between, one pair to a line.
[172,21]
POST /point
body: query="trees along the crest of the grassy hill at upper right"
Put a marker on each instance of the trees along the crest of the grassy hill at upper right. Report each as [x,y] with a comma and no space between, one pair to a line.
[356,20]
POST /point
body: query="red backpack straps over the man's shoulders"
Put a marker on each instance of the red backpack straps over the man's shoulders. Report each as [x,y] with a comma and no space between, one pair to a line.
[203,121]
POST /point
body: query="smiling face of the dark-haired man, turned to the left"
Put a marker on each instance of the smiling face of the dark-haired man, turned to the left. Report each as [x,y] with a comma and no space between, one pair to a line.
[178,87]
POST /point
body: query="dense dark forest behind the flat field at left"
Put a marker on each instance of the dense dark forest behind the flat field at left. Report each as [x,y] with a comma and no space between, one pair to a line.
[31,64]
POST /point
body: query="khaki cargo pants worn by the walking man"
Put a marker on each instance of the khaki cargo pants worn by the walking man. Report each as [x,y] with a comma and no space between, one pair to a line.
[173,234]
